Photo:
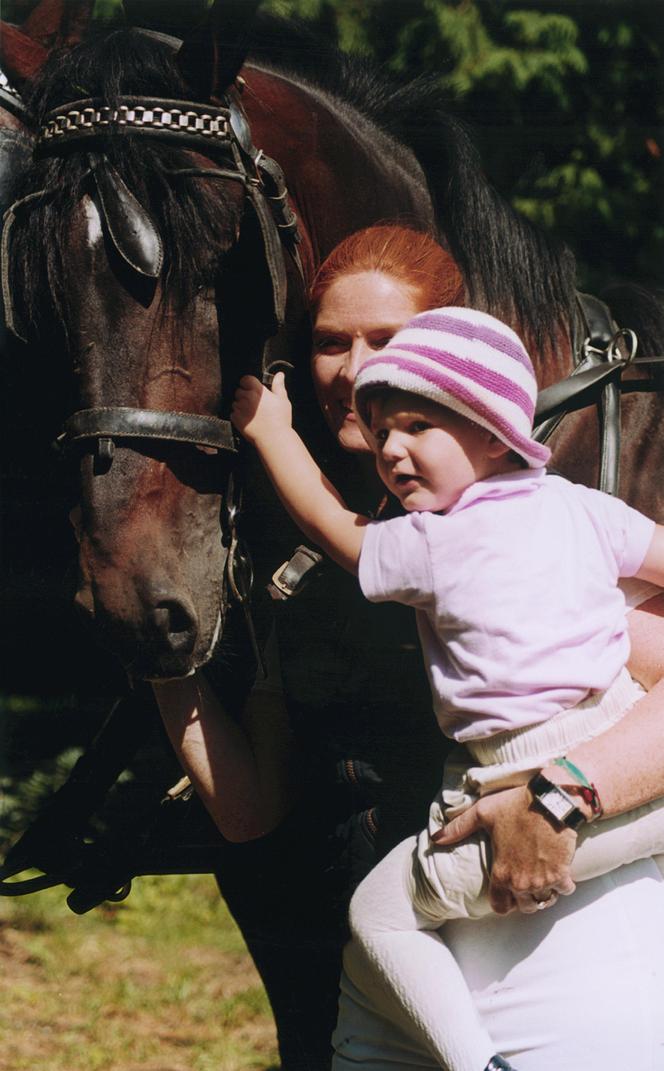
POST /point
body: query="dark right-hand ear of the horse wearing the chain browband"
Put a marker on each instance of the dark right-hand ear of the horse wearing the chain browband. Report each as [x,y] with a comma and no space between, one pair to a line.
[213,55]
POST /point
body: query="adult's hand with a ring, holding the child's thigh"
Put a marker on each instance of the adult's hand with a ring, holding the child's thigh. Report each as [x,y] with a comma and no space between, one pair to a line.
[531,858]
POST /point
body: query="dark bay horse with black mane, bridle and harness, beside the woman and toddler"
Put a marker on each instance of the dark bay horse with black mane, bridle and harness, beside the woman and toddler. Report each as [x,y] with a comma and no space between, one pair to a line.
[167,236]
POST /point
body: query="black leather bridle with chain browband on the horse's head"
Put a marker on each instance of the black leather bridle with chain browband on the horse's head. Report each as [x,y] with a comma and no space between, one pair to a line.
[224,134]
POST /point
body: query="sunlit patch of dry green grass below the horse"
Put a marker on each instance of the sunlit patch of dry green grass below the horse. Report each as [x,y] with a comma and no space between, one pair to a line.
[160,983]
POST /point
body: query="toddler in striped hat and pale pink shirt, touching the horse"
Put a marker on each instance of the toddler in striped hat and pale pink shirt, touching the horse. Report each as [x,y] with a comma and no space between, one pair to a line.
[514,576]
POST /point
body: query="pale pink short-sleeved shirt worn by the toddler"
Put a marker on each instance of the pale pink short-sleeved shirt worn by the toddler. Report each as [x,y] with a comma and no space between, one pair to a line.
[517,598]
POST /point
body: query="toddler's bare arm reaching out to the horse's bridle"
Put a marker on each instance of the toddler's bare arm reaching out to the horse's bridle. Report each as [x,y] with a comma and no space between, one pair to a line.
[265,420]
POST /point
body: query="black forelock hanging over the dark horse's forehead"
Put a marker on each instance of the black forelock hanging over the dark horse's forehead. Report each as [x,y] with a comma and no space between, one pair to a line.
[109,66]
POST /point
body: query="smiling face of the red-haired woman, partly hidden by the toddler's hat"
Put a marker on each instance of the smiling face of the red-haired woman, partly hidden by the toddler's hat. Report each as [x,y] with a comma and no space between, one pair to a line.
[357,318]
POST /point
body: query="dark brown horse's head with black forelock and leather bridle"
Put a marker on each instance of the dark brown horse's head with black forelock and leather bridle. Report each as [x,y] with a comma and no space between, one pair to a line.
[143,214]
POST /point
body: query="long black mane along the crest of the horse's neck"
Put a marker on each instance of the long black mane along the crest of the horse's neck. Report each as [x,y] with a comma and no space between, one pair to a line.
[511,268]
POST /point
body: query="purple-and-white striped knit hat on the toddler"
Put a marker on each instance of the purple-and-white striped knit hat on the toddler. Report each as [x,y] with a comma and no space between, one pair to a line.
[467,361]
